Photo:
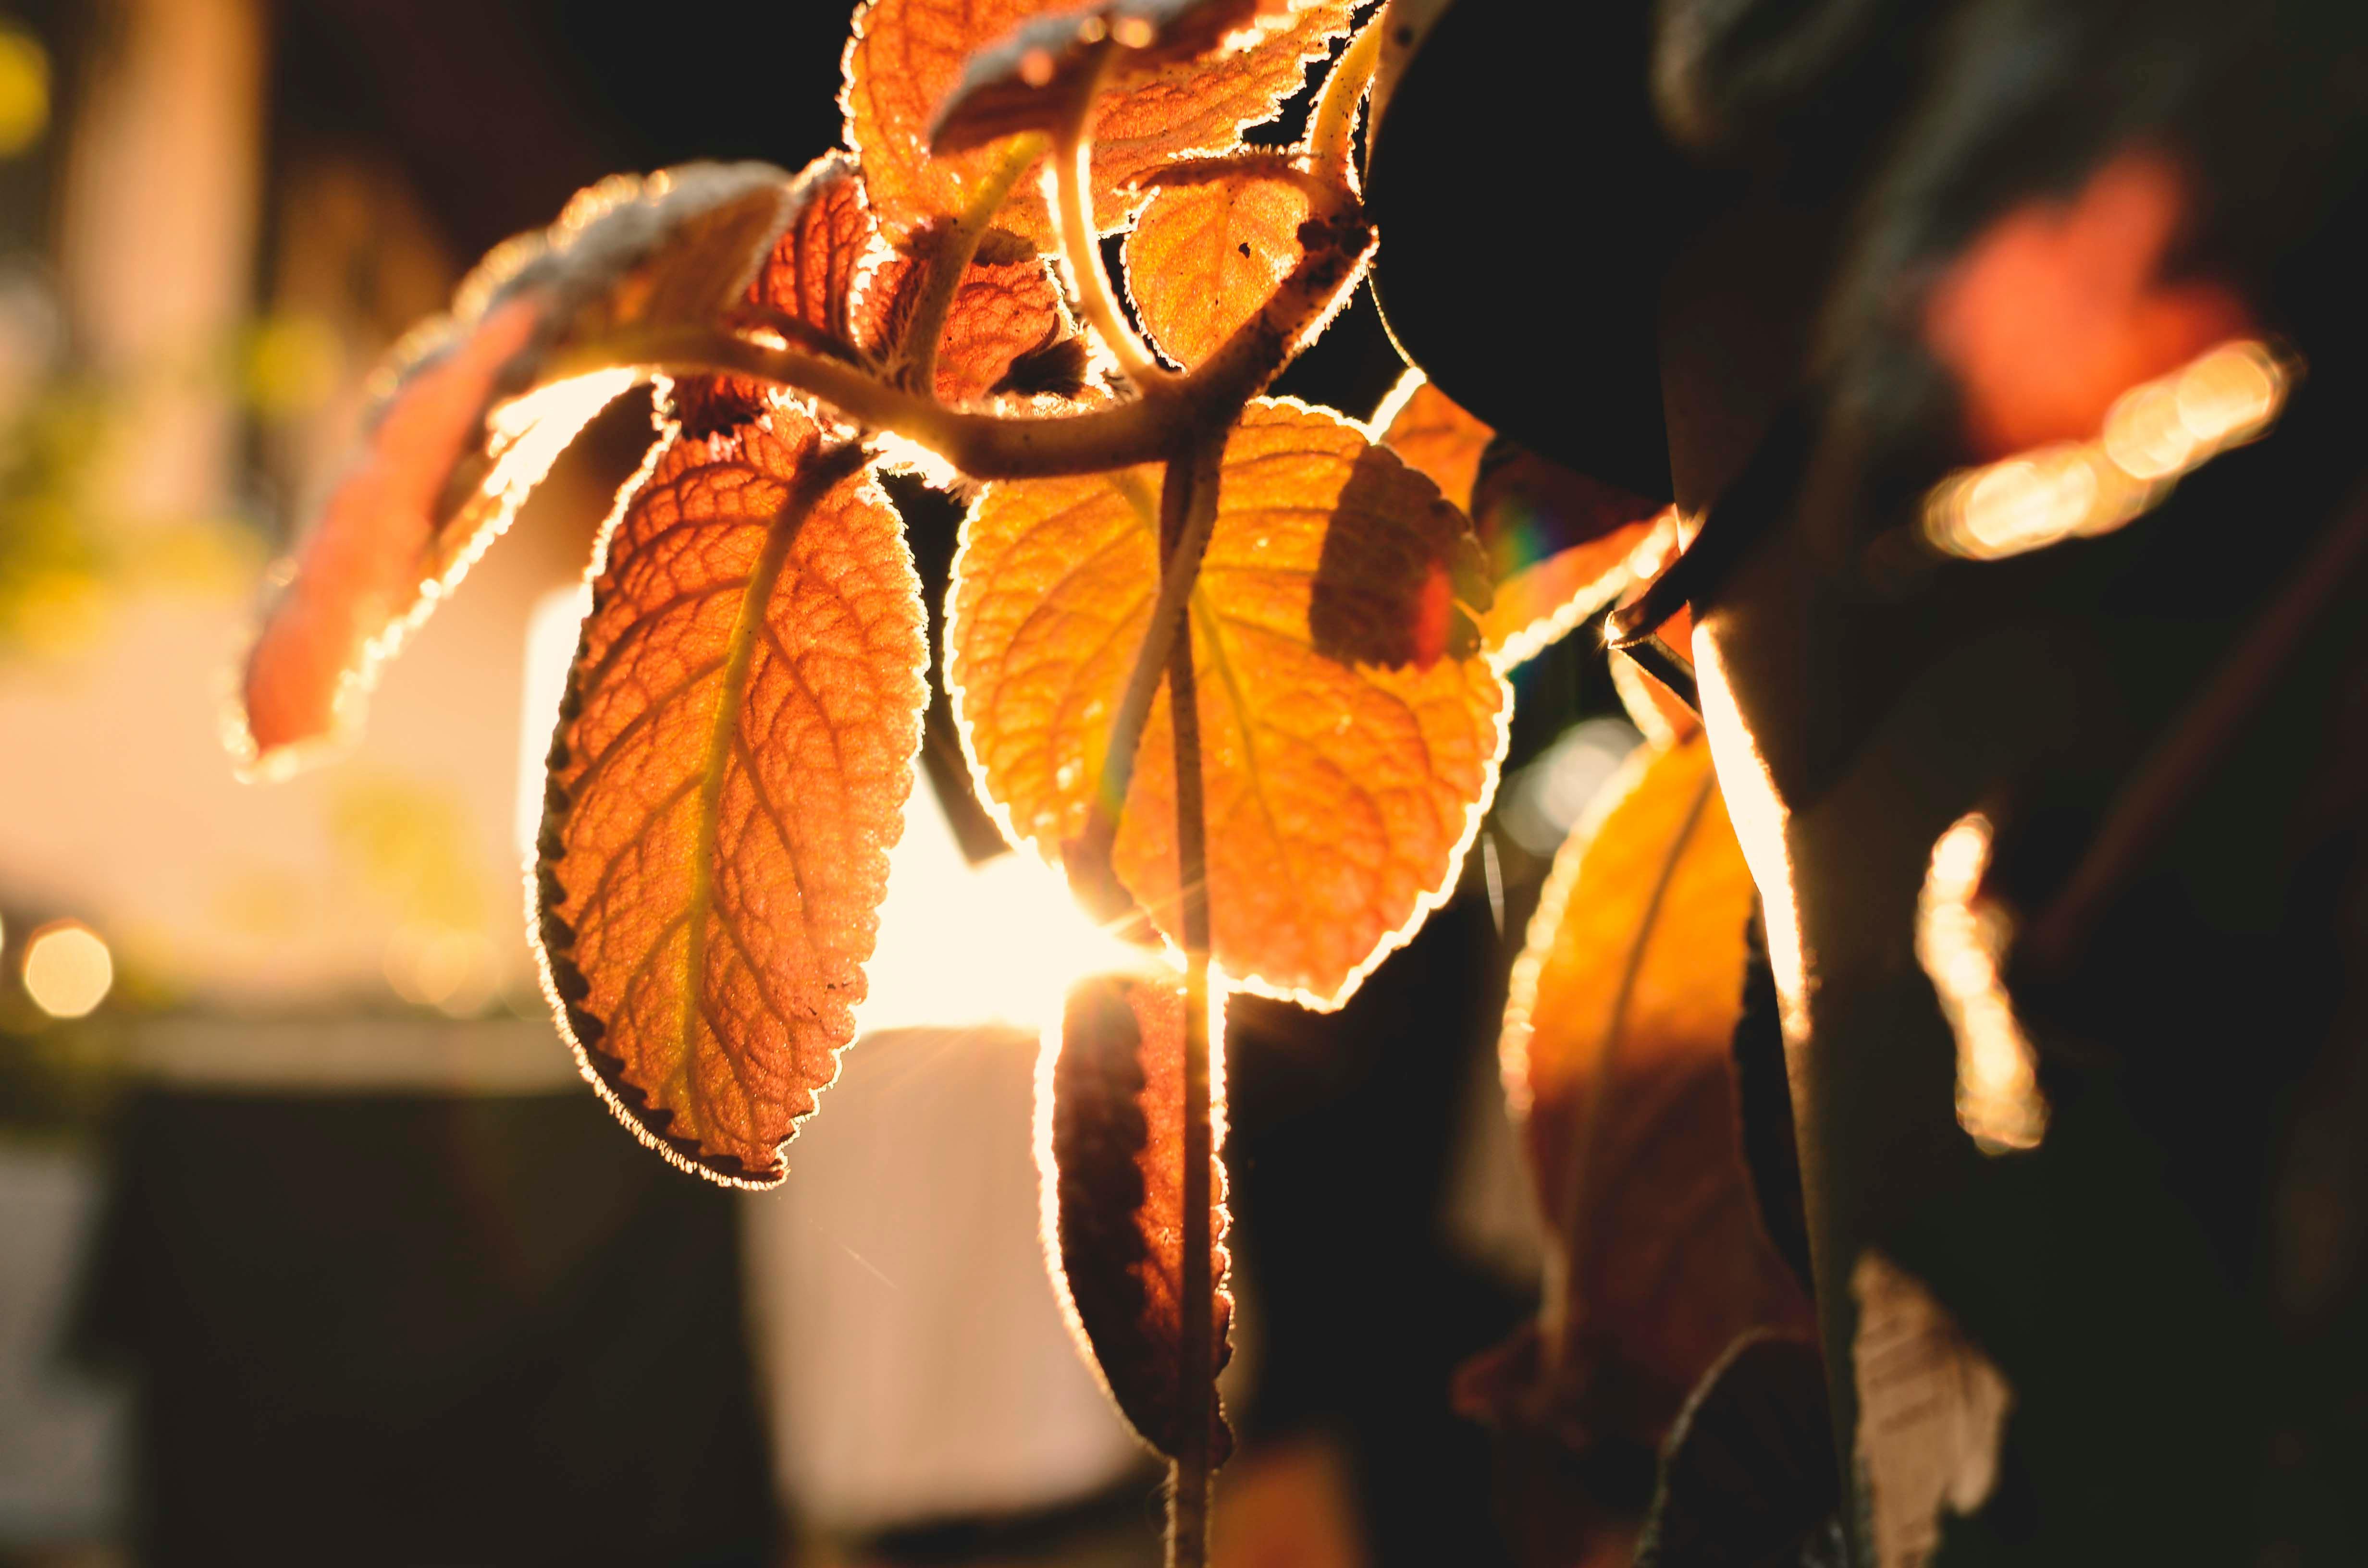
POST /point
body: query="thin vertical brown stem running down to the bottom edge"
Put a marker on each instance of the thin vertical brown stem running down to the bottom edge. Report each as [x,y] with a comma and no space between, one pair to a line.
[1197,1309]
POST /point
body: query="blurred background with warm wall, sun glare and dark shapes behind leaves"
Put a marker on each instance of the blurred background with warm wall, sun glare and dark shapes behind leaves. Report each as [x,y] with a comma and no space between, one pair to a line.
[311,1242]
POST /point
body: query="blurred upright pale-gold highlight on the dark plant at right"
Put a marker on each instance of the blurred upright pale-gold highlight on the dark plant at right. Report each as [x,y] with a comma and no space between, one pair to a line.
[1960,942]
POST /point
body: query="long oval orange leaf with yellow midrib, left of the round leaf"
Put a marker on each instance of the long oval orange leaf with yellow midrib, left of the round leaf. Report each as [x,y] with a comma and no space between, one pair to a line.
[728,778]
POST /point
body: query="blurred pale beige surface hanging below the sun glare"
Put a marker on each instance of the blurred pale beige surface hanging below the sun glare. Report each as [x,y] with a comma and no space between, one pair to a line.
[913,1354]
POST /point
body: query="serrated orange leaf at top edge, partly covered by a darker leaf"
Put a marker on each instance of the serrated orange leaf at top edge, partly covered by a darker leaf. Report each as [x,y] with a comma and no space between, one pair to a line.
[908,56]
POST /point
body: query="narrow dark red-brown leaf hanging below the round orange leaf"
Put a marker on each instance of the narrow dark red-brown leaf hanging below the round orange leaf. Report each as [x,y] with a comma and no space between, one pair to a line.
[1112,1162]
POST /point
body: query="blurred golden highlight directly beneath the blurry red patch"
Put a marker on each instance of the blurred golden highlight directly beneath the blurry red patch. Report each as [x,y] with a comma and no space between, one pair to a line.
[2156,435]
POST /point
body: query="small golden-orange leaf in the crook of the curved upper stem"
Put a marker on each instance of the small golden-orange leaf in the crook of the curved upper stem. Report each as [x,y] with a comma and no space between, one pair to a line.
[1206,255]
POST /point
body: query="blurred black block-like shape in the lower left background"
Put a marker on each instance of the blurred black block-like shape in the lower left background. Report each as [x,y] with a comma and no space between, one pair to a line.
[427,1332]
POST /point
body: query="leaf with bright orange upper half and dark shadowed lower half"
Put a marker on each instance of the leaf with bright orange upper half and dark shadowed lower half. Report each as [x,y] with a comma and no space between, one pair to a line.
[1616,1046]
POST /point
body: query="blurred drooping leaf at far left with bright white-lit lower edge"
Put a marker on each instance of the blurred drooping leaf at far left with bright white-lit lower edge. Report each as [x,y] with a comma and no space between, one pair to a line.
[456,449]
